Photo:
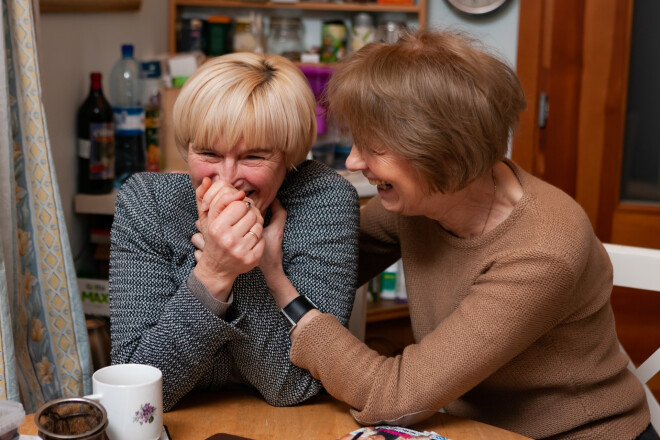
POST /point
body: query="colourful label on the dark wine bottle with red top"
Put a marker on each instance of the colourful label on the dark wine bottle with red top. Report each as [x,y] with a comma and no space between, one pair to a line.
[101,151]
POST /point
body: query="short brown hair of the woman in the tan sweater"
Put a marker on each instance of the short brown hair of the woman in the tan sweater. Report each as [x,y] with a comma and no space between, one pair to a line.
[437,99]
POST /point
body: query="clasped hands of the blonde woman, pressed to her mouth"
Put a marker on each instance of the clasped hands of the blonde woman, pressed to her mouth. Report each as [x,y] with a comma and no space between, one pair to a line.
[231,240]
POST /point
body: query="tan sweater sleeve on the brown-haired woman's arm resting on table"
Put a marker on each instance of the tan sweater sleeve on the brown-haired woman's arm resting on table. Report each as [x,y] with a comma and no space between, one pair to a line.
[501,316]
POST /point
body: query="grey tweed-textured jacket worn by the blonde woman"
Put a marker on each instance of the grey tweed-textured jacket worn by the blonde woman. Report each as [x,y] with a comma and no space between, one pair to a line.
[157,320]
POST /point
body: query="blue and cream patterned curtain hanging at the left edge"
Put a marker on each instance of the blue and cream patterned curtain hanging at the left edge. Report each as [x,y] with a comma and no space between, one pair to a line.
[44,351]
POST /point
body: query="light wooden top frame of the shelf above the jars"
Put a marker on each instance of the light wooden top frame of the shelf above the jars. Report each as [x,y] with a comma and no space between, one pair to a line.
[178,6]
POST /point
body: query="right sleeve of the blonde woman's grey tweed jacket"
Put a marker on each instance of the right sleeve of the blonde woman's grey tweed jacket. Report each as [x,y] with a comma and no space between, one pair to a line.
[320,259]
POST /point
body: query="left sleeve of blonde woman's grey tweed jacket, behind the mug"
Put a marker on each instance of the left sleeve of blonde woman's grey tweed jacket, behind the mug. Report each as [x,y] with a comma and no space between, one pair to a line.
[155,319]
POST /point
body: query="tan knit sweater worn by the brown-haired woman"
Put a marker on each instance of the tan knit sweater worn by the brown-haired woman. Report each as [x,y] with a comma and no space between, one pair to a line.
[513,328]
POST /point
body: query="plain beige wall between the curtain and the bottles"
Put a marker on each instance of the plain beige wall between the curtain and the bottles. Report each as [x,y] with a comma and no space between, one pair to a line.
[70,46]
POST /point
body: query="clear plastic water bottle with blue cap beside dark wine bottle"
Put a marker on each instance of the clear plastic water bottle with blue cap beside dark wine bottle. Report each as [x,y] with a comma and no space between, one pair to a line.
[126,99]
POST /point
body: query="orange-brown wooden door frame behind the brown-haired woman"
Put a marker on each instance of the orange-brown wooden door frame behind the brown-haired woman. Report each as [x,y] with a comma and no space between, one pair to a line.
[595,133]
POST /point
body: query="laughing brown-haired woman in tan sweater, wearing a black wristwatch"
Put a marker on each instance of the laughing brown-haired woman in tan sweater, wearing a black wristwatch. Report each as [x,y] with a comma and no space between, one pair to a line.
[508,286]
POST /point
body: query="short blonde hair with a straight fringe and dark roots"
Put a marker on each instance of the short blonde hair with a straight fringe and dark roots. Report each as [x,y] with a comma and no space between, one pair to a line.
[263,100]
